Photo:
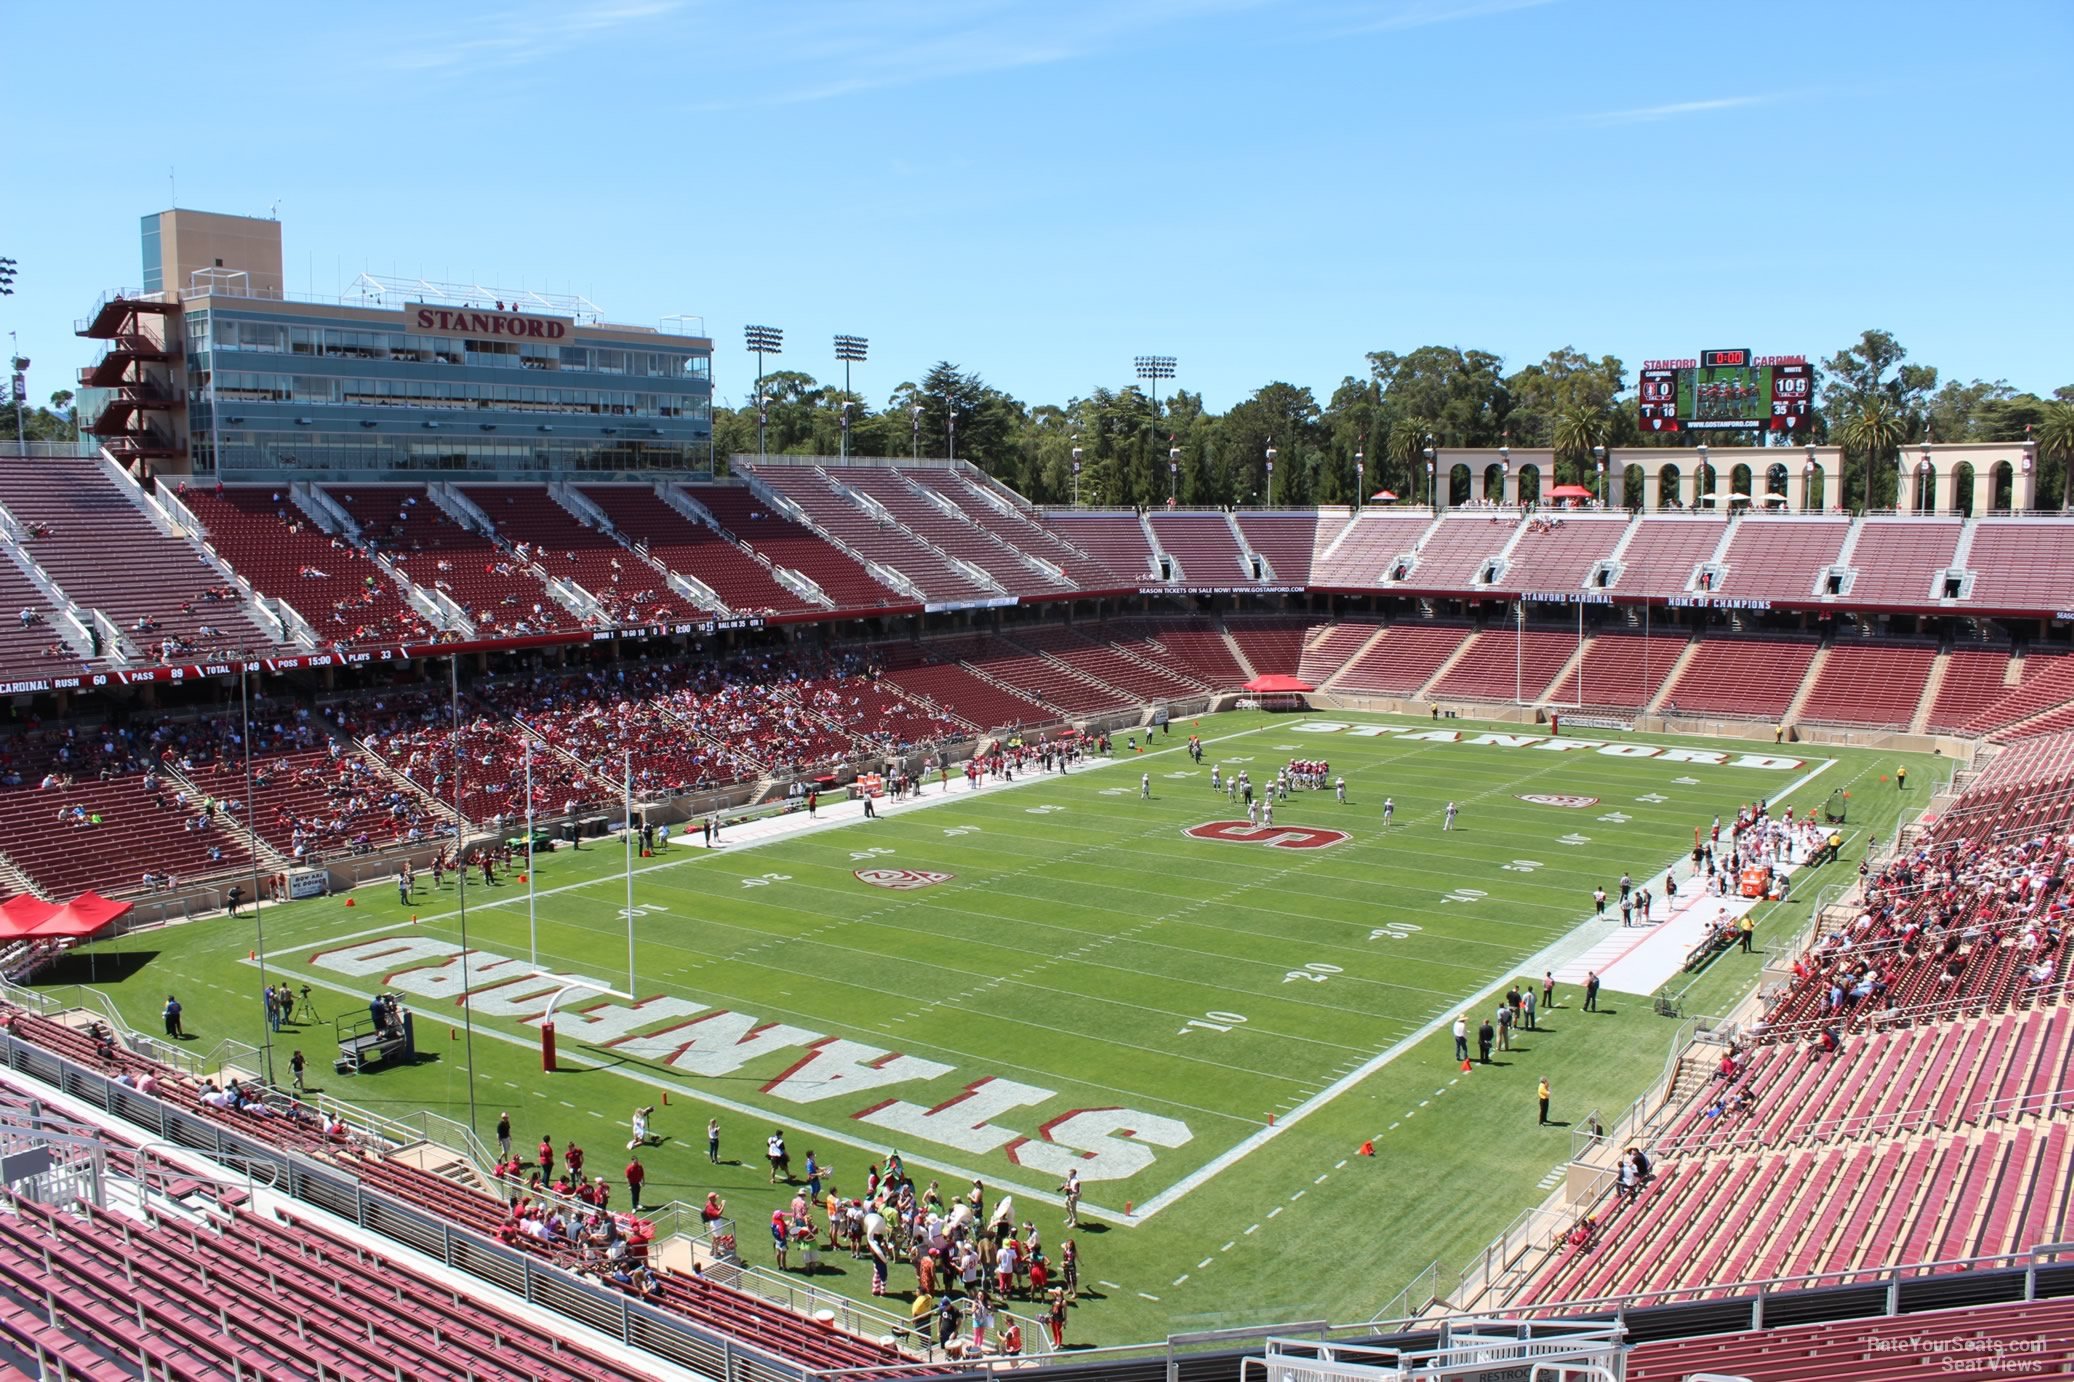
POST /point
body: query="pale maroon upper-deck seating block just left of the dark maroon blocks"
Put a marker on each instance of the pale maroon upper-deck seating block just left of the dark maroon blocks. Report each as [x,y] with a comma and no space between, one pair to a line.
[105,555]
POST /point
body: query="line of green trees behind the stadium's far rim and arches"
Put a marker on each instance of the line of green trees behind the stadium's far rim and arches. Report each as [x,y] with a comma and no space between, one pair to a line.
[1872,402]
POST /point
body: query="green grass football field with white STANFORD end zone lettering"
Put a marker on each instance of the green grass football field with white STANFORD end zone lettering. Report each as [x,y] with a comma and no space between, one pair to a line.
[1208,1028]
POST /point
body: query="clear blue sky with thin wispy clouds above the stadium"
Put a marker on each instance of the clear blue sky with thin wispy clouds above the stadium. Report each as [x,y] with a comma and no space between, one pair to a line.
[1040,192]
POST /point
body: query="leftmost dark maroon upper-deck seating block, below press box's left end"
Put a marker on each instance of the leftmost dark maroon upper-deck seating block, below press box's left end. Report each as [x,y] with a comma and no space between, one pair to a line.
[329,582]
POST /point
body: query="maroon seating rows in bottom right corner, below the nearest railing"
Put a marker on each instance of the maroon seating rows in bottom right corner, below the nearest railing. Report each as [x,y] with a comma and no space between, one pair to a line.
[1882,1350]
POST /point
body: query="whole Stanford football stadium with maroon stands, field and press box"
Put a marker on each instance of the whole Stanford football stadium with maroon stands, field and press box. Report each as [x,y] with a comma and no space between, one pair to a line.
[505,881]
